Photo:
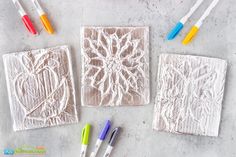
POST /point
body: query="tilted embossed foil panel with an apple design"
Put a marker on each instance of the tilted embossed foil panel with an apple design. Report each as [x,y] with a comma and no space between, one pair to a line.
[40,88]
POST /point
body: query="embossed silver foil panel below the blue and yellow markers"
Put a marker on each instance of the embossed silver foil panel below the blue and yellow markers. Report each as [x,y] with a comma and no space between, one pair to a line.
[189,94]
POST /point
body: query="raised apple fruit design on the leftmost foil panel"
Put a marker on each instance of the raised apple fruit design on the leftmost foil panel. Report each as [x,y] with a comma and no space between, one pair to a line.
[43,96]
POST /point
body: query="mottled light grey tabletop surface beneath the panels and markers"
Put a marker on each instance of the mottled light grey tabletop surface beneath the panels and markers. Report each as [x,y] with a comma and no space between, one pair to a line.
[216,39]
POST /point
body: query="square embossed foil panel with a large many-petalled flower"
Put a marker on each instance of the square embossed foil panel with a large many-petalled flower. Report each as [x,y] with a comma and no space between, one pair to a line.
[115,66]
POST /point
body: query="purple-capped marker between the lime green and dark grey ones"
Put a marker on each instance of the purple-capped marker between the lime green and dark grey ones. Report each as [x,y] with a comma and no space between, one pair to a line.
[101,138]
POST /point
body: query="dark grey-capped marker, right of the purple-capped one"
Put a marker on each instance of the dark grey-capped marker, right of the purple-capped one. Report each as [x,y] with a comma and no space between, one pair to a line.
[112,141]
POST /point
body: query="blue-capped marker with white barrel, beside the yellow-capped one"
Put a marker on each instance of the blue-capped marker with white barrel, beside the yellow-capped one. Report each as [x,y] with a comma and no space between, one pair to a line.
[179,26]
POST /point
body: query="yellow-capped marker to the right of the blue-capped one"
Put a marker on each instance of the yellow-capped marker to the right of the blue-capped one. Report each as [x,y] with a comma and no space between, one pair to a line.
[192,33]
